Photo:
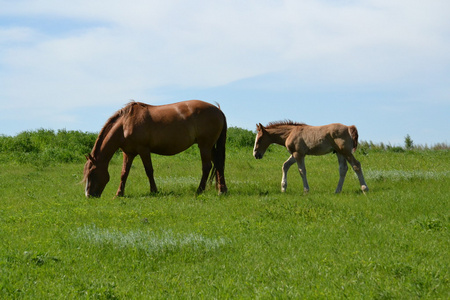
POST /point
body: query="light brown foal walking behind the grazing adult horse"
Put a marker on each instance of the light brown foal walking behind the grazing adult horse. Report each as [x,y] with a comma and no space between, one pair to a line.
[301,140]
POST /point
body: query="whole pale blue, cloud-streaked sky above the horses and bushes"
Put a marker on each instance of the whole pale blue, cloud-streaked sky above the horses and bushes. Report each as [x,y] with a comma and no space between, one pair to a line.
[379,64]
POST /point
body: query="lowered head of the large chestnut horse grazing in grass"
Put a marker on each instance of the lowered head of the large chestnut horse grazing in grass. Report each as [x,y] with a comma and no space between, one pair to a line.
[95,176]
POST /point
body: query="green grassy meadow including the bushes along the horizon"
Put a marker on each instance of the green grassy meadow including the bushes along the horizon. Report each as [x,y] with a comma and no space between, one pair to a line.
[253,243]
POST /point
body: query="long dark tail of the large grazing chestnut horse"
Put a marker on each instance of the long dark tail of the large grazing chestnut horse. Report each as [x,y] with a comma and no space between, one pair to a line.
[218,158]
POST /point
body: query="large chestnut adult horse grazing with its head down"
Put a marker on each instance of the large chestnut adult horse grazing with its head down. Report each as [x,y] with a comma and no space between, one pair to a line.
[141,129]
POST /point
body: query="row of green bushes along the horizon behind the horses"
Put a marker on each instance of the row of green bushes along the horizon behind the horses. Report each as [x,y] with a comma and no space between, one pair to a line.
[43,146]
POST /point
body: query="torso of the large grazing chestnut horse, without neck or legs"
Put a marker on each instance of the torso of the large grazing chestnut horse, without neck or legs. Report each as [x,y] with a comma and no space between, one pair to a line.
[172,128]
